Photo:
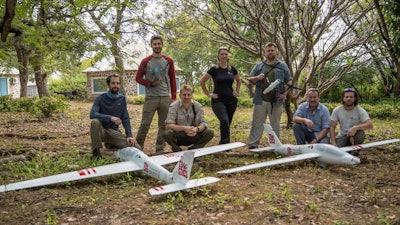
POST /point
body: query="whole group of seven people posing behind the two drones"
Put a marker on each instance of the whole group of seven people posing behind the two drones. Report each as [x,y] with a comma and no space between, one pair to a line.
[181,122]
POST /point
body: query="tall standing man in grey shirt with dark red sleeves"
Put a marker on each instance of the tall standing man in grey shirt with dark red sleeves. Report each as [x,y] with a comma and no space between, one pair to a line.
[157,74]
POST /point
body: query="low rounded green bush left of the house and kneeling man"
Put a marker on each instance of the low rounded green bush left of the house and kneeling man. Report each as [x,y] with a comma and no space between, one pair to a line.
[49,105]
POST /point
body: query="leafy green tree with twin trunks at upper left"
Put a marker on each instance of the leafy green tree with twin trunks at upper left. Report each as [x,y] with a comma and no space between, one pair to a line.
[44,33]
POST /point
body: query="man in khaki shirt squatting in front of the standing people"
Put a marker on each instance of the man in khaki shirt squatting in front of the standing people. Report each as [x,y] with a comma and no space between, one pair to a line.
[185,123]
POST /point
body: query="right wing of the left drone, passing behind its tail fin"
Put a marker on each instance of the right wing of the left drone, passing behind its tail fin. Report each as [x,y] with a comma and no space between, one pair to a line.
[176,156]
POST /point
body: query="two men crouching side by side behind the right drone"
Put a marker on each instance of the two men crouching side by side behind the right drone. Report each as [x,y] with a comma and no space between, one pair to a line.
[314,124]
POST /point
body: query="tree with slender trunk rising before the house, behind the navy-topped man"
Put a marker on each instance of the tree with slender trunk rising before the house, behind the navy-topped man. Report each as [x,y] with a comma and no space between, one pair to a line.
[118,23]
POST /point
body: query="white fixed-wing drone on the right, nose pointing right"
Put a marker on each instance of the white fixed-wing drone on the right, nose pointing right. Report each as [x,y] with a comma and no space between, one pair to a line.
[323,153]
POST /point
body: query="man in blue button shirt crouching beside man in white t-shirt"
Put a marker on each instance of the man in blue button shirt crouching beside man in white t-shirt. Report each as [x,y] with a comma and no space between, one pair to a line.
[312,120]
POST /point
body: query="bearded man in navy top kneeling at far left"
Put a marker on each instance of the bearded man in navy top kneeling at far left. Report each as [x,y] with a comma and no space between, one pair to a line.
[107,113]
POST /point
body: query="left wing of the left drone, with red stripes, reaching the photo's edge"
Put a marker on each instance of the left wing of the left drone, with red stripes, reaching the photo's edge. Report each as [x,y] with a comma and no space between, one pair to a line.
[115,168]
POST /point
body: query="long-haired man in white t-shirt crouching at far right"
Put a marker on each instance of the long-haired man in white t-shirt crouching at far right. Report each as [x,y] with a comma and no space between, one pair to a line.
[353,120]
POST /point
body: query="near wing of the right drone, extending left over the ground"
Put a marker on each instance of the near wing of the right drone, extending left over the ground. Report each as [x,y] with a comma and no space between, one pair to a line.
[293,158]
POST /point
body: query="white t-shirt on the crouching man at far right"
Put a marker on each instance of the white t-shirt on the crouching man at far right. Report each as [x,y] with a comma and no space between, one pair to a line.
[348,118]
